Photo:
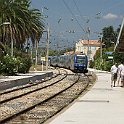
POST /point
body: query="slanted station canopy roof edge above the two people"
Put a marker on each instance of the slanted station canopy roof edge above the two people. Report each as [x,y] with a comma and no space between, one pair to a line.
[120,40]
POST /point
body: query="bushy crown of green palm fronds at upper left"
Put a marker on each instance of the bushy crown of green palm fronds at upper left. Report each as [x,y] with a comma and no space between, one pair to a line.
[25,23]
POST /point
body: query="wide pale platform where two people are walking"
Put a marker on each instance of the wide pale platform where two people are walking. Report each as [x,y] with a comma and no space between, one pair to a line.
[100,105]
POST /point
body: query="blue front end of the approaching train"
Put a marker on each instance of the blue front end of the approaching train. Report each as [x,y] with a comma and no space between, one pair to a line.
[80,63]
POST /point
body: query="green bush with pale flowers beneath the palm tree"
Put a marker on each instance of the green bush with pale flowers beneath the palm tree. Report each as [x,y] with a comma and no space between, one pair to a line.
[11,65]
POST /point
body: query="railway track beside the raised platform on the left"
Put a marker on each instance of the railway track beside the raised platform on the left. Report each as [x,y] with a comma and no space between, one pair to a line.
[22,91]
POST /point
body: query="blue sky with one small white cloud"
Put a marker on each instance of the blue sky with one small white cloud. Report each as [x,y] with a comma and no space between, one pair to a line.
[71,20]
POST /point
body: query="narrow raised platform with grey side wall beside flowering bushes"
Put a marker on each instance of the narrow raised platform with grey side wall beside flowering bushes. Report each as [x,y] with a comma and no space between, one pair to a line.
[7,82]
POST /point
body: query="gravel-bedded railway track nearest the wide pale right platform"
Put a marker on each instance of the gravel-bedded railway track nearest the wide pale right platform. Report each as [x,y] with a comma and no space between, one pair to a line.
[38,106]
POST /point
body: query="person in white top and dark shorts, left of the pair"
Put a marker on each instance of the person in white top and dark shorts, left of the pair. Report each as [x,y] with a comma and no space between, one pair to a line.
[114,70]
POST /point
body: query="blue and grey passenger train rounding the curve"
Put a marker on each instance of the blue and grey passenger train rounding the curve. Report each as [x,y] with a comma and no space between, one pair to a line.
[75,62]
